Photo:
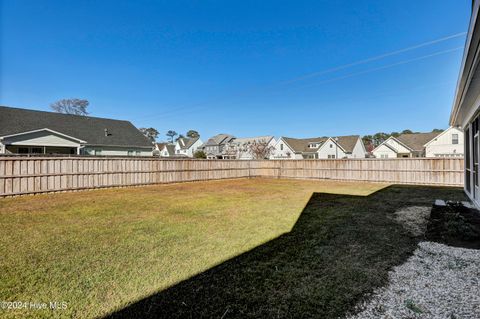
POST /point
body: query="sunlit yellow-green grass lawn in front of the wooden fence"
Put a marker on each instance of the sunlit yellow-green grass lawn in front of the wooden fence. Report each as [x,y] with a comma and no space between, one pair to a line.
[100,251]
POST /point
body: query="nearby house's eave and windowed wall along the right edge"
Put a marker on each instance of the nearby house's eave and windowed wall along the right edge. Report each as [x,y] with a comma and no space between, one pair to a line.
[466,106]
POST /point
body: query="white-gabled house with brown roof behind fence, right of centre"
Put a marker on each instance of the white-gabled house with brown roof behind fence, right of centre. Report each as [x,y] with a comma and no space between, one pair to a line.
[319,148]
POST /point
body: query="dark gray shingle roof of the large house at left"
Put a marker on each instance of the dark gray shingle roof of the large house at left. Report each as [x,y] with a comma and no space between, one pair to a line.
[86,128]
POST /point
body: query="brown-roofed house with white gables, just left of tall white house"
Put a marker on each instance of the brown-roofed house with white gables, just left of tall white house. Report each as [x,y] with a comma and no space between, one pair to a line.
[404,145]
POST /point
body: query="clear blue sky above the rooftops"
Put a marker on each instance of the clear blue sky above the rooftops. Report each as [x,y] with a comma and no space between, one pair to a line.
[238,67]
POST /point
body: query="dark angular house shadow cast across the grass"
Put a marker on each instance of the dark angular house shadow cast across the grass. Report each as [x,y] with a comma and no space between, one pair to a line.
[341,248]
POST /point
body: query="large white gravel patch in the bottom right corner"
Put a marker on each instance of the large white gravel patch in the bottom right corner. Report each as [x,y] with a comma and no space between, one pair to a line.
[438,281]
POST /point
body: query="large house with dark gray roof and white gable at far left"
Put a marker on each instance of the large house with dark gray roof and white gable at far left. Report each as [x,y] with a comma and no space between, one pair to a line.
[25,131]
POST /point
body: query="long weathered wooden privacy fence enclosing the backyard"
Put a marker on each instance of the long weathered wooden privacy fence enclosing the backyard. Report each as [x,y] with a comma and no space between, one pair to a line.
[31,175]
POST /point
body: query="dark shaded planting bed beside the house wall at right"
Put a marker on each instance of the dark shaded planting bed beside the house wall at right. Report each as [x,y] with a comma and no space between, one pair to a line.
[454,225]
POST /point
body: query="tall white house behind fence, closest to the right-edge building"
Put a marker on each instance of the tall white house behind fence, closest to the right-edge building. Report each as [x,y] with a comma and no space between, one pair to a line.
[449,143]
